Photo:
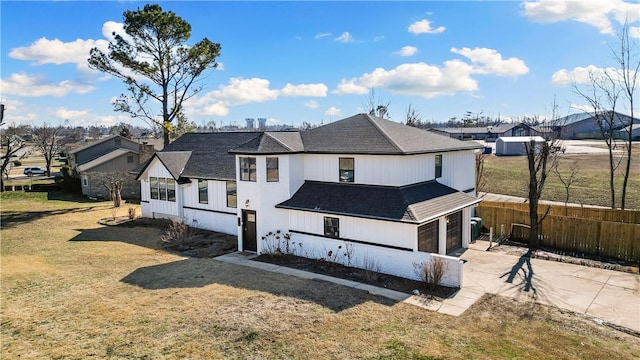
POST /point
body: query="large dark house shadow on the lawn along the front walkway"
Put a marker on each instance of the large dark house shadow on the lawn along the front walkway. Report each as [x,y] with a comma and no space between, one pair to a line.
[192,272]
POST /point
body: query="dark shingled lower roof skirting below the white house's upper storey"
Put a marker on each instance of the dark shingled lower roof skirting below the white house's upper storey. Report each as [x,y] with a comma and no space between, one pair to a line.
[415,203]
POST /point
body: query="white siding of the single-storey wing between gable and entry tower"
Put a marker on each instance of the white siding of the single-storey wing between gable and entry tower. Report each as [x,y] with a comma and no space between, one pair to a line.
[214,215]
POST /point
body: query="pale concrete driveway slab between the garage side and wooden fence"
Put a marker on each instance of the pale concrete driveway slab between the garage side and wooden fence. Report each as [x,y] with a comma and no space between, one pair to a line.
[609,295]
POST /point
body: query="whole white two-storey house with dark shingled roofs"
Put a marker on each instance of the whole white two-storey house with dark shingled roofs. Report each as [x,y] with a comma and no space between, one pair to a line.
[359,191]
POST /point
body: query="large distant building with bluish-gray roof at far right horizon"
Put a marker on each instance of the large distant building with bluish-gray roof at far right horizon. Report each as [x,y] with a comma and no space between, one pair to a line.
[584,125]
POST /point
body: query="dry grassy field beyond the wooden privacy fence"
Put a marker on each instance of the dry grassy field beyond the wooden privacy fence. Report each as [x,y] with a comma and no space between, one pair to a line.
[509,175]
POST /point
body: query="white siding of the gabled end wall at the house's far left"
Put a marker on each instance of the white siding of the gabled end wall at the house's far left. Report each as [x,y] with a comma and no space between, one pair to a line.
[159,208]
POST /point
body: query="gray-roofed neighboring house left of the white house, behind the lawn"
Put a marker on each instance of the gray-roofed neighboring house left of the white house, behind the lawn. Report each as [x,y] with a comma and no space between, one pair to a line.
[108,159]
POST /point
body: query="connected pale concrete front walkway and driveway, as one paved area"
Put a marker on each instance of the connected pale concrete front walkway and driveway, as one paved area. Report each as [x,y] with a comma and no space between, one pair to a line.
[609,295]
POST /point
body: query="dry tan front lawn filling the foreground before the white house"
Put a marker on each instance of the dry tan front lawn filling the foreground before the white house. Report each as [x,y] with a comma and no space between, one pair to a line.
[72,288]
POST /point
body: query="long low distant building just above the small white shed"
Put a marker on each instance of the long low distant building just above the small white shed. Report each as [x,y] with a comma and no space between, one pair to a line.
[489,133]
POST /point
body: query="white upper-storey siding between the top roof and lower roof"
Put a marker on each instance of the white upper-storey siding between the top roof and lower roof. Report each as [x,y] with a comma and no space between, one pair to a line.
[395,170]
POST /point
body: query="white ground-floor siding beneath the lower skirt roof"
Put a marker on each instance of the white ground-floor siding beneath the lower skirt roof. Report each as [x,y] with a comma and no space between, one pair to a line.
[393,261]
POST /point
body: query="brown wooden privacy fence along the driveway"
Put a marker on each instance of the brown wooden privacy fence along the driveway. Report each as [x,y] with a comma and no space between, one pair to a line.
[595,236]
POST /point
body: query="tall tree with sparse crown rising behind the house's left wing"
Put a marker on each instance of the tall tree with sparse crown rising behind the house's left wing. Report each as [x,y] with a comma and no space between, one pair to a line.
[154,61]
